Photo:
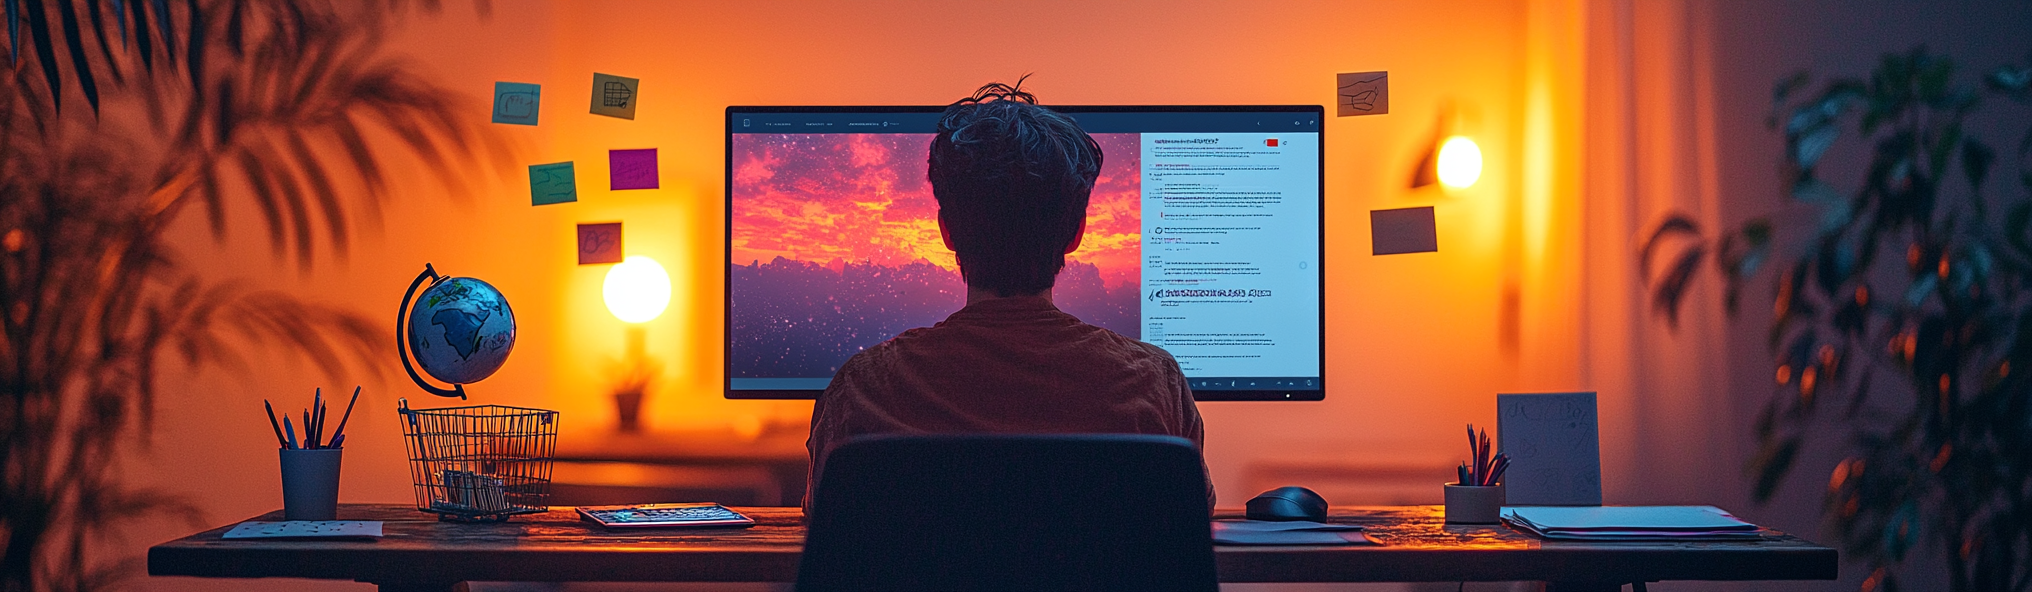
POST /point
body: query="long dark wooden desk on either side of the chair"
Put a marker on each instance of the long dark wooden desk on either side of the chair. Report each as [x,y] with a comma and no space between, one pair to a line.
[424,554]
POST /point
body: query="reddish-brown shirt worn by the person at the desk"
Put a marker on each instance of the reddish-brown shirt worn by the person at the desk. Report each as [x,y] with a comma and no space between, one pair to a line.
[1009,365]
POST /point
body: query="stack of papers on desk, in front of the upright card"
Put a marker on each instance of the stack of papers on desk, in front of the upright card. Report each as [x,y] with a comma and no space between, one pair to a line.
[1631,524]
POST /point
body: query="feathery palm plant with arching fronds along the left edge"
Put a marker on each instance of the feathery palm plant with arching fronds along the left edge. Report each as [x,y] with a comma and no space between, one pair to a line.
[186,109]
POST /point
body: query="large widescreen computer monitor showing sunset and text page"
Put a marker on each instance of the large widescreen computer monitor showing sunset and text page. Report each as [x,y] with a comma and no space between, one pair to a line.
[1204,237]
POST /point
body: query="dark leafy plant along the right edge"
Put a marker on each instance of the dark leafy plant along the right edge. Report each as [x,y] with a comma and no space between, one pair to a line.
[1921,276]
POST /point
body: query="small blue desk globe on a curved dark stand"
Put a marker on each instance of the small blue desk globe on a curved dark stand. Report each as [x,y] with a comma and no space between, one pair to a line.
[460,331]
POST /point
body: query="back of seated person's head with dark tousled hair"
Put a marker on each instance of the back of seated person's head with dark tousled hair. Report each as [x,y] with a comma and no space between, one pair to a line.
[1013,184]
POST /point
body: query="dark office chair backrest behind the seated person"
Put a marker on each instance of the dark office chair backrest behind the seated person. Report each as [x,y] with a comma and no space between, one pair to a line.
[1011,514]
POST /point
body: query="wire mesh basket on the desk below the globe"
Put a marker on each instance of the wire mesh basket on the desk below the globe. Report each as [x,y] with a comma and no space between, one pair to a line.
[481,463]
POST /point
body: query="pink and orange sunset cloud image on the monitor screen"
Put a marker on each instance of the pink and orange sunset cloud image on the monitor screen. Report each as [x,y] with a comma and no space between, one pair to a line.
[836,247]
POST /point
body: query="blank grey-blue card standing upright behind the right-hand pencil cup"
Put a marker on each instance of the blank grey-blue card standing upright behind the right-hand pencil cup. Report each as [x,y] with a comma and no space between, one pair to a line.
[1555,449]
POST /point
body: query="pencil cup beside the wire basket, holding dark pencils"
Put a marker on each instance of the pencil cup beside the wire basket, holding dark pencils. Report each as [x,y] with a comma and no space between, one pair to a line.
[312,465]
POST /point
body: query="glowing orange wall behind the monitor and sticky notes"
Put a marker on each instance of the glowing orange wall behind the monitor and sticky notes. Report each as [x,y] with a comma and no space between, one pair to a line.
[1415,343]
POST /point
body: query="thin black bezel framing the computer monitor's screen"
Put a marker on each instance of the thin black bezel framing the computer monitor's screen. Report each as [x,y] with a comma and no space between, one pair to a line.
[726,255]
